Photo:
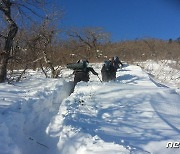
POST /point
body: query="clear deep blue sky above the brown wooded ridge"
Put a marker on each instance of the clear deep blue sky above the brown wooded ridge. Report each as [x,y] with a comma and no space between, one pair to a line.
[125,19]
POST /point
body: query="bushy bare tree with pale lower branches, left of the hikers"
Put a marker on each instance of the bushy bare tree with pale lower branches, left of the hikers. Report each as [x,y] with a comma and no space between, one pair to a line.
[39,45]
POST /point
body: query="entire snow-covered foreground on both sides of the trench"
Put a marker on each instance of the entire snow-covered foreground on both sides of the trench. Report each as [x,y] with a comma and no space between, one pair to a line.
[134,114]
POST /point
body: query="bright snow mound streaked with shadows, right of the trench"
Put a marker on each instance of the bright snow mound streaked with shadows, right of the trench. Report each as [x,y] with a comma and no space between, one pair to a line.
[131,113]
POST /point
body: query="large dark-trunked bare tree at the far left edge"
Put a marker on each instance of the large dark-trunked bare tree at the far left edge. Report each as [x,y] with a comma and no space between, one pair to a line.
[10,10]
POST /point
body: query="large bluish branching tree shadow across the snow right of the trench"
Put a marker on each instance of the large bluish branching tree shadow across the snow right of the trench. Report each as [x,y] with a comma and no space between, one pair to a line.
[124,120]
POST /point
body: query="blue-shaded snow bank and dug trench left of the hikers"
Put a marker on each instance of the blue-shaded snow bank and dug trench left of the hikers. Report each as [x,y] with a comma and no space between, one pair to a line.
[25,111]
